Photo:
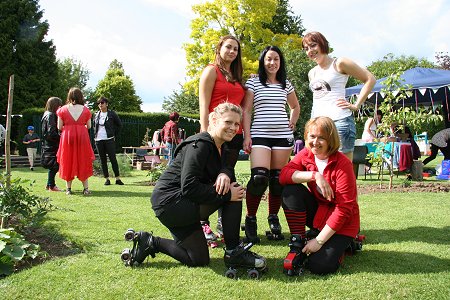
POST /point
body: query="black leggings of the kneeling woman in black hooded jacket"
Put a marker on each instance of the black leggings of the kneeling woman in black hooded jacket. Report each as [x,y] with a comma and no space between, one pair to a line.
[189,244]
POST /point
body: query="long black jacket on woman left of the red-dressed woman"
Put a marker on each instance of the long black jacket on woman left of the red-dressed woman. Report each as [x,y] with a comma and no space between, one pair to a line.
[50,140]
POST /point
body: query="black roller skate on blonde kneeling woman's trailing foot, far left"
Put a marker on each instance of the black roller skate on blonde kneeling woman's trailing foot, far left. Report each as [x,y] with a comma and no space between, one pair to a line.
[143,246]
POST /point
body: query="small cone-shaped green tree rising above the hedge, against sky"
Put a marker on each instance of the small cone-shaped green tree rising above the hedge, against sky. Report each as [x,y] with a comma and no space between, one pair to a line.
[119,89]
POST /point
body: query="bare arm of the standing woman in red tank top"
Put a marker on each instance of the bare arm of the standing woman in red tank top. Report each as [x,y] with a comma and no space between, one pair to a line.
[206,86]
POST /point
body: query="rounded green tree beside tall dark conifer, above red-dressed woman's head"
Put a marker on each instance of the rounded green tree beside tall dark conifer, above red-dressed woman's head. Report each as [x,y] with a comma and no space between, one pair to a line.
[71,73]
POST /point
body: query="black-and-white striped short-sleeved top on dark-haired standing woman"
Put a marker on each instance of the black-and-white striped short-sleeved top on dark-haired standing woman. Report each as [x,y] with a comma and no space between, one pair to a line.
[270,118]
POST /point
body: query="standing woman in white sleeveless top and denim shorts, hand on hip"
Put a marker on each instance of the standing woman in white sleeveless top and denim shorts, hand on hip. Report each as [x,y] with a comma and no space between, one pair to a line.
[327,81]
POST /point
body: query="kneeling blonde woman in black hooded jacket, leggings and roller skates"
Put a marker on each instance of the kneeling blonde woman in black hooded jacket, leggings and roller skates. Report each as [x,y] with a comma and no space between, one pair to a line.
[194,186]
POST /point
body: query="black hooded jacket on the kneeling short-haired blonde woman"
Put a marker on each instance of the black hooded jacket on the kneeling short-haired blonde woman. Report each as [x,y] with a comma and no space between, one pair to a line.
[192,174]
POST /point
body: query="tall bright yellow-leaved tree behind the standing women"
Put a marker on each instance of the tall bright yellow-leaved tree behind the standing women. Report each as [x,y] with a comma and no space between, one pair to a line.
[251,22]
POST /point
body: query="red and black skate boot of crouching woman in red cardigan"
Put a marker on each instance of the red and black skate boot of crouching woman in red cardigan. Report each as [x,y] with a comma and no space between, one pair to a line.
[295,259]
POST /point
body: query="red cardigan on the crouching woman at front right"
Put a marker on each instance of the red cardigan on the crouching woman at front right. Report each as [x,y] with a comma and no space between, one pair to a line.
[342,212]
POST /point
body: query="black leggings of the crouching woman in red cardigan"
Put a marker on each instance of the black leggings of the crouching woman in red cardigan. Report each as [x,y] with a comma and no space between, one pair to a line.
[297,197]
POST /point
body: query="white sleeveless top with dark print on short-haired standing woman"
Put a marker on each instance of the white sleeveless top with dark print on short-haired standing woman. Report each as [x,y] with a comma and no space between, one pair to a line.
[328,86]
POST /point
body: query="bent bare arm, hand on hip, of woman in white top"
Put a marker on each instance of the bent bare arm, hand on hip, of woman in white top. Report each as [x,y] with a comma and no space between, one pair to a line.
[349,67]
